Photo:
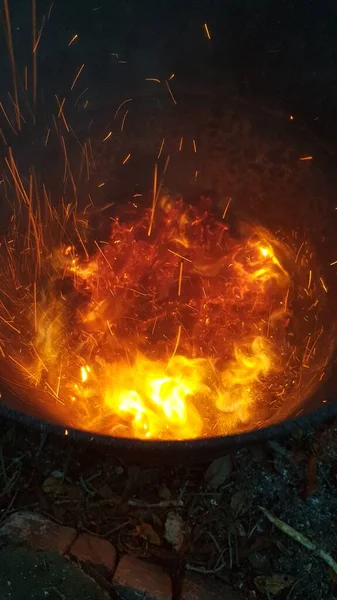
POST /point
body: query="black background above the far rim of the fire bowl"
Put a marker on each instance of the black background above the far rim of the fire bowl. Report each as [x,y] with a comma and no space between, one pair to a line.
[280,54]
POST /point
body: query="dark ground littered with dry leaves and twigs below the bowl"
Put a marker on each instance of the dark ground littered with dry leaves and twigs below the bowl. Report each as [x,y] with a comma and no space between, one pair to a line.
[211,514]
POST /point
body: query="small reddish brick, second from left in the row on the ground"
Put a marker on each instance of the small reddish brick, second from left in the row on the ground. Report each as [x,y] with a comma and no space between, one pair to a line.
[89,548]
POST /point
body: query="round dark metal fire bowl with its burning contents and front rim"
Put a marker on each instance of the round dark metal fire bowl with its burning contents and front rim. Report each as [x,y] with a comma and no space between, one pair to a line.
[173,320]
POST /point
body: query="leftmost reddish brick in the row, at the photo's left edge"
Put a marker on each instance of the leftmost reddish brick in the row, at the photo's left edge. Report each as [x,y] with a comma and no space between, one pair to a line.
[36,532]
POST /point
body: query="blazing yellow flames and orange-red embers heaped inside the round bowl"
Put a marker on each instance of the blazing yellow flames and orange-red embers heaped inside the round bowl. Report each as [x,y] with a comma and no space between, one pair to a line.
[175,327]
